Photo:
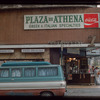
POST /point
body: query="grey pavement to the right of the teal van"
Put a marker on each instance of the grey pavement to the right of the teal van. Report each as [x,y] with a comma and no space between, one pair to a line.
[83,91]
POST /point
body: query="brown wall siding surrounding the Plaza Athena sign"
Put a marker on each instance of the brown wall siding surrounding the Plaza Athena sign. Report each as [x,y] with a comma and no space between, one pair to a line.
[12,27]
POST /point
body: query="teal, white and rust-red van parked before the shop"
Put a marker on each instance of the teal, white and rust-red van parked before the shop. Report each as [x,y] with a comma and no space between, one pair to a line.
[32,78]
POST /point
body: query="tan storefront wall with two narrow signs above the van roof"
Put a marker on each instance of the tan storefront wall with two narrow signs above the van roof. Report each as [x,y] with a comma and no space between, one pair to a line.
[16,54]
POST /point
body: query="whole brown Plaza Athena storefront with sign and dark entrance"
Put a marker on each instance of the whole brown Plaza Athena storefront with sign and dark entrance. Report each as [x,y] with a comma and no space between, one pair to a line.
[60,35]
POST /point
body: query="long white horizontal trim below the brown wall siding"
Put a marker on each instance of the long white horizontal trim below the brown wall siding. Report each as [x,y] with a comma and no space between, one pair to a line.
[47,45]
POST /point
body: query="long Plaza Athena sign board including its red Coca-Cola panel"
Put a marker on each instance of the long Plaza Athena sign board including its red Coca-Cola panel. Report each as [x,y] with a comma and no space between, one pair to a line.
[61,21]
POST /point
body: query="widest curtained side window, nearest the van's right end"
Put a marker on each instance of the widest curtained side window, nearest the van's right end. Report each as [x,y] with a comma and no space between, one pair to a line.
[51,71]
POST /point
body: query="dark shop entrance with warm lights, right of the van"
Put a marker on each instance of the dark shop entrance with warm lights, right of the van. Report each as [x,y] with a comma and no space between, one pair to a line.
[77,70]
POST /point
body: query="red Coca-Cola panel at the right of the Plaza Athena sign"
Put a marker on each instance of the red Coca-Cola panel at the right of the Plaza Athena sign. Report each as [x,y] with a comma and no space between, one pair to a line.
[91,21]
